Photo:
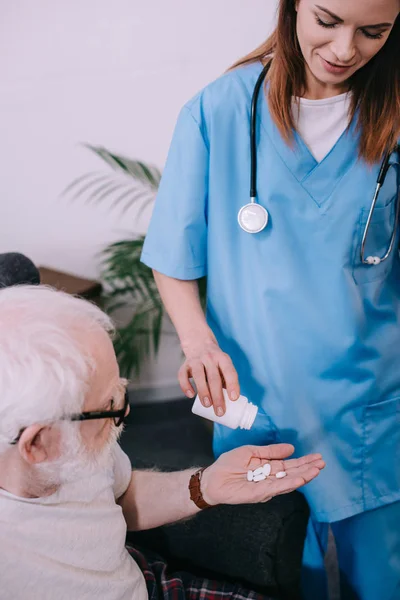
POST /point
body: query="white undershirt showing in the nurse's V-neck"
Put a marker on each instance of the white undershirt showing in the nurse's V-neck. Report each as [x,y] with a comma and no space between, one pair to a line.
[320,123]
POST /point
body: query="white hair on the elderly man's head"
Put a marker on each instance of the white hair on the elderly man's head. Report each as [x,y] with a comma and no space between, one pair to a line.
[44,369]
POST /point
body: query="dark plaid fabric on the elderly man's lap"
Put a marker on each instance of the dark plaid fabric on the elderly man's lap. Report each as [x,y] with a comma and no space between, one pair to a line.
[162,585]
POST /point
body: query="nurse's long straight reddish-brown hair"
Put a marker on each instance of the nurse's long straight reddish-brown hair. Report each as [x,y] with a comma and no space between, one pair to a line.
[375,87]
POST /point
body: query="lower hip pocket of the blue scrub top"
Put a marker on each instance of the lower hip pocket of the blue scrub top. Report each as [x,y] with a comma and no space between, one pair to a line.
[381,450]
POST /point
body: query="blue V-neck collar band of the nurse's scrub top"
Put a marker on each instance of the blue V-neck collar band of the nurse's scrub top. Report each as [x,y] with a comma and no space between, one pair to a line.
[319,179]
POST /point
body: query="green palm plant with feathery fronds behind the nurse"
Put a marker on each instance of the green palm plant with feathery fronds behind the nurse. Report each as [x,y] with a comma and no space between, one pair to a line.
[128,283]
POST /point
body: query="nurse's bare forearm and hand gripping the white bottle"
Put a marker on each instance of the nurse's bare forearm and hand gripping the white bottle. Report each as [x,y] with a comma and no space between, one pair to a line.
[209,367]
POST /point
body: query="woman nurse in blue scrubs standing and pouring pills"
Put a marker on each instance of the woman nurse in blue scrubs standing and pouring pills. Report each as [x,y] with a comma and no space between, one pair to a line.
[294,314]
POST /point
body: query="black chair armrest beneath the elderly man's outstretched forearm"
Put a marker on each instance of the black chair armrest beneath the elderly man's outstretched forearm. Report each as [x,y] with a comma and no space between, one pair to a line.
[258,545]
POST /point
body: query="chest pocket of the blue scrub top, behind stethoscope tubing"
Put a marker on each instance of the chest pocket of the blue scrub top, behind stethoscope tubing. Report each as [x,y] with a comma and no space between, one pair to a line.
[377,243]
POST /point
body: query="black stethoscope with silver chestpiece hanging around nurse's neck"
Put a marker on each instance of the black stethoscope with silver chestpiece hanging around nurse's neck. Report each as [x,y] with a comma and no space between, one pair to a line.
[253,217]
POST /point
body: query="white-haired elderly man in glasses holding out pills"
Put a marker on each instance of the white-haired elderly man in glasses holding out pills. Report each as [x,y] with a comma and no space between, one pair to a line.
[67,491]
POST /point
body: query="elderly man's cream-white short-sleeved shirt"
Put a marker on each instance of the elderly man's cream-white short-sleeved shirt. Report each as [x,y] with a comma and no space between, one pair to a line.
[70,545]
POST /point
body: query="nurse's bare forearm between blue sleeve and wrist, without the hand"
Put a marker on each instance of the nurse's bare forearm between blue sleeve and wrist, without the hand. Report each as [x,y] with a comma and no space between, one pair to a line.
[182,303]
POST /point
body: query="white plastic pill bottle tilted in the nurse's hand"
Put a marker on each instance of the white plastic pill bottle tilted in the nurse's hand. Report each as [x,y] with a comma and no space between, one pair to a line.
[239,413]
